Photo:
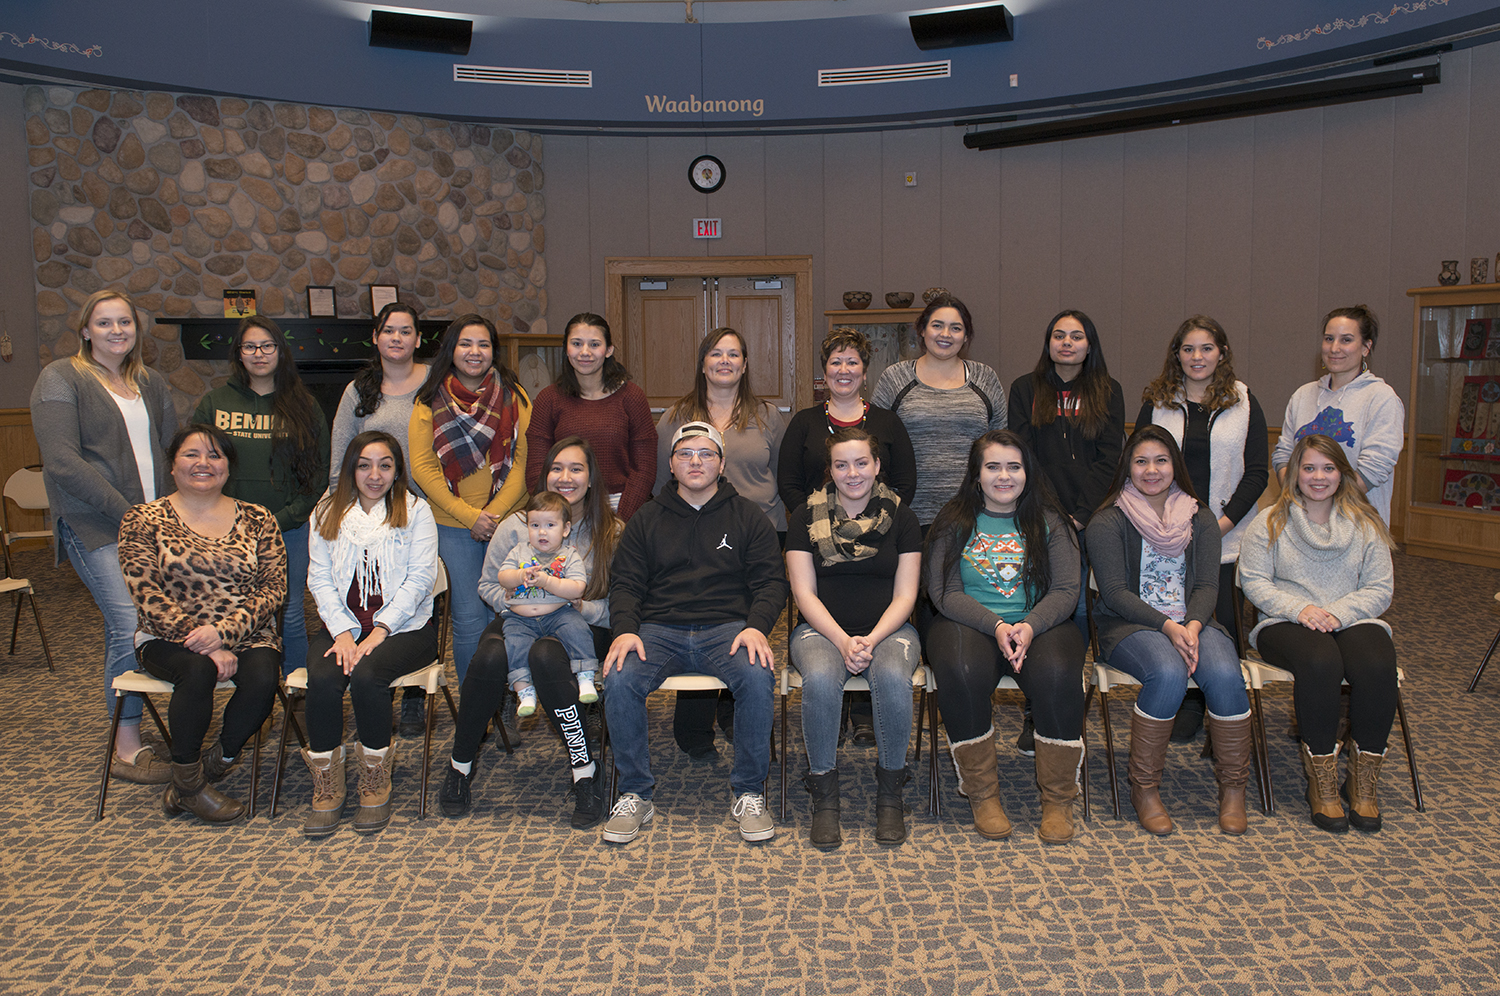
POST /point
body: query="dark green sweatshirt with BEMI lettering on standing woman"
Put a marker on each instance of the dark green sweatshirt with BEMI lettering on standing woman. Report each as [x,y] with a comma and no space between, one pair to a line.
[247,418]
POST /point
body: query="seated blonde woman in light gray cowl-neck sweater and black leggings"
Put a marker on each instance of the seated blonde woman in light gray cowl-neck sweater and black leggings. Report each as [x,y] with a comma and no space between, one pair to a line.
[1318,566]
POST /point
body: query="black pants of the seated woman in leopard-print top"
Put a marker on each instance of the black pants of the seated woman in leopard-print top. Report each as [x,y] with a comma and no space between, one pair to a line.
[194,677]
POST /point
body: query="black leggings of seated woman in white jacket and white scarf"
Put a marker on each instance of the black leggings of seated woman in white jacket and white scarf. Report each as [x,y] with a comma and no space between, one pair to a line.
[370,686]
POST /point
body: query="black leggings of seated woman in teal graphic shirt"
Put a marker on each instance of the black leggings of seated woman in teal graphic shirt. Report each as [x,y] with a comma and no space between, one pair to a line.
[970,665]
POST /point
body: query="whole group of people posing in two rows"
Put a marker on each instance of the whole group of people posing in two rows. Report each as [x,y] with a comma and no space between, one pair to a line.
[590,553]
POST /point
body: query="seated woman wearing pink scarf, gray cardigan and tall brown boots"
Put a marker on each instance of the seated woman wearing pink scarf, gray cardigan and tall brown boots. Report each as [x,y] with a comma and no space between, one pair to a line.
[1156,556]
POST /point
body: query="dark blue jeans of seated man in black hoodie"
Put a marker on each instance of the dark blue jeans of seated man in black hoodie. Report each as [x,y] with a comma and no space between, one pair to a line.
[674,650]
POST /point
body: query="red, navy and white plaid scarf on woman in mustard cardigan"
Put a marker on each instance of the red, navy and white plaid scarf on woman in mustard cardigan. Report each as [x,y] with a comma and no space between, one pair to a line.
[473,428]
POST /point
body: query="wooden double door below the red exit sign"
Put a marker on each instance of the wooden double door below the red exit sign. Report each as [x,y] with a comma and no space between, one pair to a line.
[664,308]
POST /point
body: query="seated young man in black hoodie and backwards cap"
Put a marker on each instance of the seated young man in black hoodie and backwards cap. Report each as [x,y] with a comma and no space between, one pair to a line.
[697,584]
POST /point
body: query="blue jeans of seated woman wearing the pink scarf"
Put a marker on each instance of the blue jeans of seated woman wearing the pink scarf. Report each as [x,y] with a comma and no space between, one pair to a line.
[1151,659]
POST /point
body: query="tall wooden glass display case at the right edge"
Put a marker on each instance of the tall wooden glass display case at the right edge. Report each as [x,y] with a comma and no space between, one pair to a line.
[1453,455]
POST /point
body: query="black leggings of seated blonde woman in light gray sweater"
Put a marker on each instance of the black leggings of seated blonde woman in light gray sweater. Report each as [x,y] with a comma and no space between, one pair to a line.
[1363,655]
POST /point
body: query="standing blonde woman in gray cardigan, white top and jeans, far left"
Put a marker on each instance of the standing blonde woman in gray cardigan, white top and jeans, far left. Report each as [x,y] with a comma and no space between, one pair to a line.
[103,421]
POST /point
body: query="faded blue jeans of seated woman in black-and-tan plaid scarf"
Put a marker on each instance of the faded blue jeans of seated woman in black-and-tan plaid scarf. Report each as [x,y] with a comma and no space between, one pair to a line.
[824,677]
